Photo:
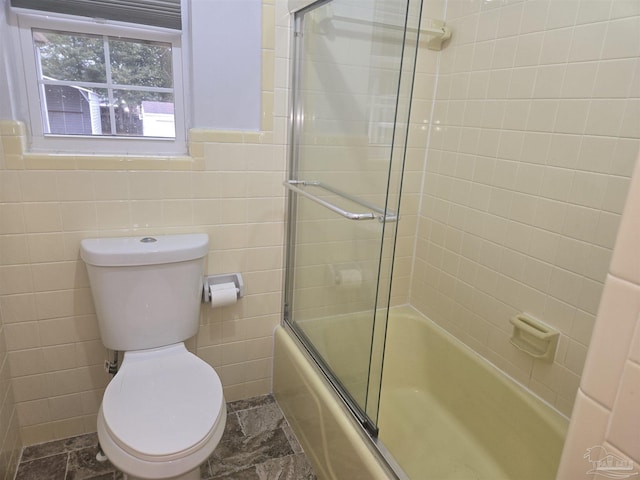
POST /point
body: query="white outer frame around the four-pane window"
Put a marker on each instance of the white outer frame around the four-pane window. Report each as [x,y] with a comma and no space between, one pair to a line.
[100,145]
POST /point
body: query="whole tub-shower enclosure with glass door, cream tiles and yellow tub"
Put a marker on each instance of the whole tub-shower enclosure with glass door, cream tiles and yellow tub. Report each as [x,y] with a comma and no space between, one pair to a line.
[527,120]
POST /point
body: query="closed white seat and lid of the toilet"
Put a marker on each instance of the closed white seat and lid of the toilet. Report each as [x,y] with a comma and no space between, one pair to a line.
[163,404]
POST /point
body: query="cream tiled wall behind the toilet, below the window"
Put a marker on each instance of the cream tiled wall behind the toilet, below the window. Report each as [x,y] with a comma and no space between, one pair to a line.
[229,187]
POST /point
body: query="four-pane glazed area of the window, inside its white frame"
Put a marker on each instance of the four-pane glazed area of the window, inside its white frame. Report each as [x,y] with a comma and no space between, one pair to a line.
[100,85]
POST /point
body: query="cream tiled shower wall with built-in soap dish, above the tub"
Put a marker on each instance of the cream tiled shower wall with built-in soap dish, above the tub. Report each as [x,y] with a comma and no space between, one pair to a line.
[535,129]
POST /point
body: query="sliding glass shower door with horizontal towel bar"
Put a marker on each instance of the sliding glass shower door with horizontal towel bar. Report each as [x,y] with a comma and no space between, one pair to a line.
[352,77]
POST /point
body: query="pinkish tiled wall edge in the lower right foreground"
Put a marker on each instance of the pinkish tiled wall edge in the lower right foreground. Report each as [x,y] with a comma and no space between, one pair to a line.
[605,421]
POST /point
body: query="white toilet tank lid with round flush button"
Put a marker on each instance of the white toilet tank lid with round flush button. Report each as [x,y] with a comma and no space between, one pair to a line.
[147,250]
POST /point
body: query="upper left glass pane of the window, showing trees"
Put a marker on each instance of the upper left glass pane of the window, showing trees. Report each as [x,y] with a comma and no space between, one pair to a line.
[70,56]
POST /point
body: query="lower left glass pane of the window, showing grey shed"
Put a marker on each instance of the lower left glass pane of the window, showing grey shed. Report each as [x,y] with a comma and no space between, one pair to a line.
[74,110]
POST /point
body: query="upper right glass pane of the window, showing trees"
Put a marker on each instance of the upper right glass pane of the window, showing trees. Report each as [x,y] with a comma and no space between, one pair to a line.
[146,64]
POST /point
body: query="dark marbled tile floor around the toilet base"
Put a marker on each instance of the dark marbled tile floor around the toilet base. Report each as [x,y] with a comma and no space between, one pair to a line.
[257,444]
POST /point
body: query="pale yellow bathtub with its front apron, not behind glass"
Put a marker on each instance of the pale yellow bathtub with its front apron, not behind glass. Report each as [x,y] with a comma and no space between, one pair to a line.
[445,413]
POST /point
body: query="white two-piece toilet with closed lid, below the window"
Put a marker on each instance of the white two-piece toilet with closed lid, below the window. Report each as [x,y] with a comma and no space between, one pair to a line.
[163,413]
